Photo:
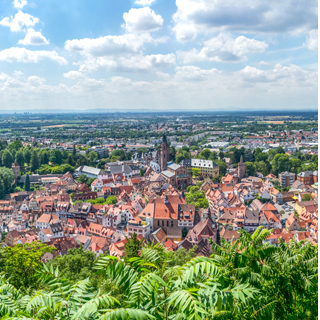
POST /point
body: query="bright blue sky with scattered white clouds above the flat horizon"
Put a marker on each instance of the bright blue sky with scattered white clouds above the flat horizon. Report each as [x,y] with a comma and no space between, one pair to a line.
[158,55]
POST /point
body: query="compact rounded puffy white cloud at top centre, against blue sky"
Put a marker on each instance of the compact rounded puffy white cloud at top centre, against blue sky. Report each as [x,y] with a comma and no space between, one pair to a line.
[142,20]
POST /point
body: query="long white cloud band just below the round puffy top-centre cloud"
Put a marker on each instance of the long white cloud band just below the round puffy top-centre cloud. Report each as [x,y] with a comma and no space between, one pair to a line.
[111,45]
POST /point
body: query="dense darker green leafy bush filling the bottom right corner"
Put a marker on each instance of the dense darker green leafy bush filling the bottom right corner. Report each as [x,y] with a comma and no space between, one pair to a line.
[279,273]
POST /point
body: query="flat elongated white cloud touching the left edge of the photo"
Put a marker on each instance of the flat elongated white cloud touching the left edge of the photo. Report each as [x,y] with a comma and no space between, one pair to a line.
[24,55]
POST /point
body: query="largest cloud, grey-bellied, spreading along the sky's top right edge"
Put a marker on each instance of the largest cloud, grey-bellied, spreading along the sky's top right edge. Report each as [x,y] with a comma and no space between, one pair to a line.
[253,16]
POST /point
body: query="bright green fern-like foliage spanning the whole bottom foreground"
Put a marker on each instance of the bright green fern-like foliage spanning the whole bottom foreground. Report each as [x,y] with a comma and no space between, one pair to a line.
[246,279]
